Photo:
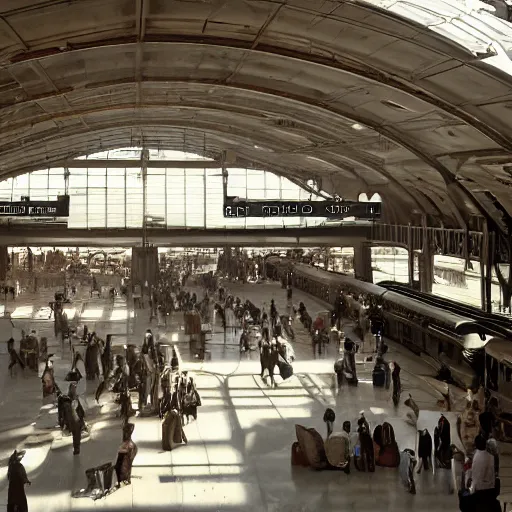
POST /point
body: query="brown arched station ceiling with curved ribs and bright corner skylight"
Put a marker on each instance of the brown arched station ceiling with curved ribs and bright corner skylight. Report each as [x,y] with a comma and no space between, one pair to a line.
[362,96]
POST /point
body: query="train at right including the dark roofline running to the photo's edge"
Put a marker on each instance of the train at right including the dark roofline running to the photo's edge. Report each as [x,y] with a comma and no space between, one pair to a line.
[444,333]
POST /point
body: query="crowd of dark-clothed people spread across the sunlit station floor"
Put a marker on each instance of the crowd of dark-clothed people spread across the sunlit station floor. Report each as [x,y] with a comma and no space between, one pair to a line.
[166,390]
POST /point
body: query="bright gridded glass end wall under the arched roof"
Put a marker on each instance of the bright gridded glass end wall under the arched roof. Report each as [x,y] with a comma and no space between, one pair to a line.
[113,197]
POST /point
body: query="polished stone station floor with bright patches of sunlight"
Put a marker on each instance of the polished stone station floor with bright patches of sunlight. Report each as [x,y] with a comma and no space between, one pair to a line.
[238,455]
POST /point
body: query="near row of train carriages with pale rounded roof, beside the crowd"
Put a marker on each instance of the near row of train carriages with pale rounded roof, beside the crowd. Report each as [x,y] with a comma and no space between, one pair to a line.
[441,337]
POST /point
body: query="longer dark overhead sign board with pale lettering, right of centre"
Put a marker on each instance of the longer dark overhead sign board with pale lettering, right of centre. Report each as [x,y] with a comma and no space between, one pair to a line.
[330,209]
